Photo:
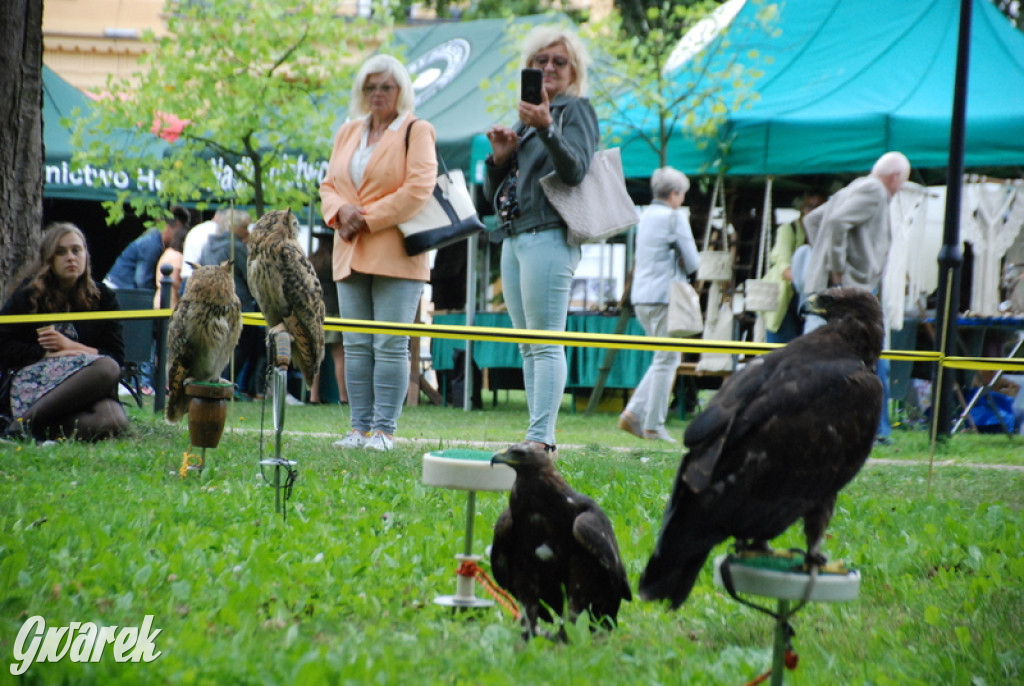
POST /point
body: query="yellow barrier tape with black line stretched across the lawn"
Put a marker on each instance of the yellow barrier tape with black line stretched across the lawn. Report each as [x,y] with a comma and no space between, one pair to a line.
[579,339]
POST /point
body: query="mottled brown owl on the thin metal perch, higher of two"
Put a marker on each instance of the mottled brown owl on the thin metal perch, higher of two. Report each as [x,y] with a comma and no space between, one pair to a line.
[286,287]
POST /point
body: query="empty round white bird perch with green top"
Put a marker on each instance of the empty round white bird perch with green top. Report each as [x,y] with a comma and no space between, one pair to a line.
[467,470]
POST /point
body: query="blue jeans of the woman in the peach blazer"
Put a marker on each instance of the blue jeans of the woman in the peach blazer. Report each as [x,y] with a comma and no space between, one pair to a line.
[377,365]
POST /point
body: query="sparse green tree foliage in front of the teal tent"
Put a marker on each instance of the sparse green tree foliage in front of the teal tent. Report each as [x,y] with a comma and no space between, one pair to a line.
[642,58]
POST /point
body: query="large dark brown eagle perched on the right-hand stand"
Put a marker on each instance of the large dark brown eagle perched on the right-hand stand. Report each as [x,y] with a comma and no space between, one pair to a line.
[777,444]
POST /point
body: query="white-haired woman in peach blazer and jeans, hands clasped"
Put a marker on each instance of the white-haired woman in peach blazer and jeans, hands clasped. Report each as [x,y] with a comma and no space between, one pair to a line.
[374,183]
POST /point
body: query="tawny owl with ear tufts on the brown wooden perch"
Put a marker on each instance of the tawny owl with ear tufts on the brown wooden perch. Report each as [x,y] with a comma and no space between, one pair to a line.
[202,335]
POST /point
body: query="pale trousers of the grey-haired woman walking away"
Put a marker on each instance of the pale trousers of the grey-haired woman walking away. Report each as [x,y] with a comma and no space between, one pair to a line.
[651,401]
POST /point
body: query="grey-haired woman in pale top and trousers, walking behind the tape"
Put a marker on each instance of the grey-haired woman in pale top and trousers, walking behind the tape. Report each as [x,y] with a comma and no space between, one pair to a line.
[665,251]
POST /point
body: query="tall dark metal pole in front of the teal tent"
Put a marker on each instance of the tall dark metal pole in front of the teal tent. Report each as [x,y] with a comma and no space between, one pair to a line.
[951,256]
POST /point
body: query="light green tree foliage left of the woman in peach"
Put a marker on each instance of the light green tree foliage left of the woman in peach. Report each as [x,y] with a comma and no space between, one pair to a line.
[261,83]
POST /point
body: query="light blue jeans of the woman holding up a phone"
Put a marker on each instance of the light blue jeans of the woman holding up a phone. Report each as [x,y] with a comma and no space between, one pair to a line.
[537,277]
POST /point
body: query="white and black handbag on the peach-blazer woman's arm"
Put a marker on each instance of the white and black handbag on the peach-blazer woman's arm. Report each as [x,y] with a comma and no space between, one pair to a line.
[448,218]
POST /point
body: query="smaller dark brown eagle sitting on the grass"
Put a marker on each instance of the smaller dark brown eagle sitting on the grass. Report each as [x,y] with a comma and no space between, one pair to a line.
[554,549]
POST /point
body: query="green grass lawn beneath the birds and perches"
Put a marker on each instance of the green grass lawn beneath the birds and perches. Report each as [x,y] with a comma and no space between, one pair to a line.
[343,591]
